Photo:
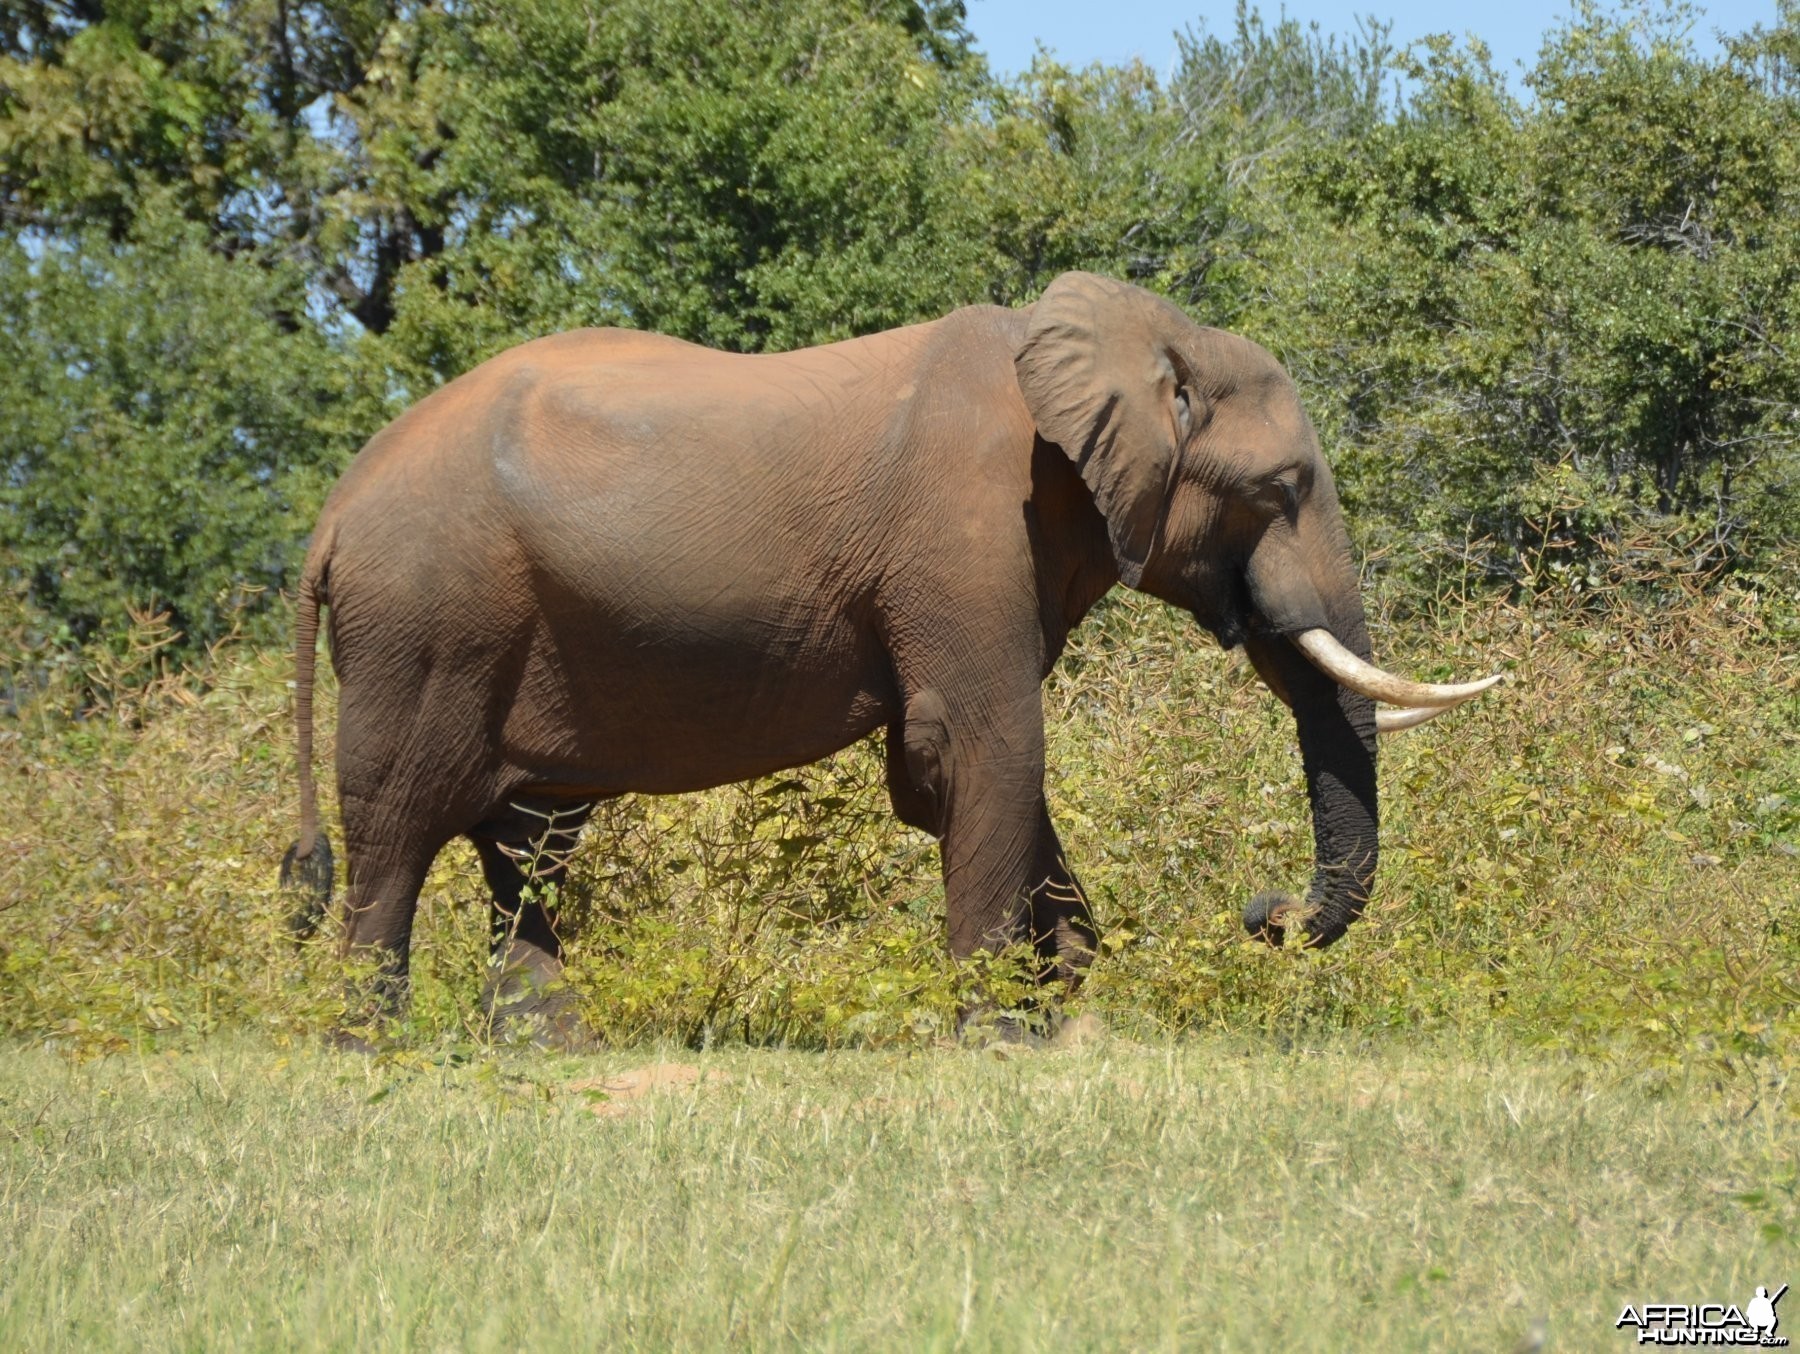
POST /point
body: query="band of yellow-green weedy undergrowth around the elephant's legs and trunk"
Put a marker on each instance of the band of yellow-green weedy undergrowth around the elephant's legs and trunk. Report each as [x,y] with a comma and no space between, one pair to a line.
[1599,856]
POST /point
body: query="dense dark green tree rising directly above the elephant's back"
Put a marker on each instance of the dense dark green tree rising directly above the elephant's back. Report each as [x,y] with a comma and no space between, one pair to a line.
[746,177]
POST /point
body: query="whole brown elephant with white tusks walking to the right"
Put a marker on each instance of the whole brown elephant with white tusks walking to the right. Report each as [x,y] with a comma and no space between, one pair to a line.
[611,563]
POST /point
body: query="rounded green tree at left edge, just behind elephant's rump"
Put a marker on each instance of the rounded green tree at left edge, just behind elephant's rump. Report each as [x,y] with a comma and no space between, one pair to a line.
[170,435]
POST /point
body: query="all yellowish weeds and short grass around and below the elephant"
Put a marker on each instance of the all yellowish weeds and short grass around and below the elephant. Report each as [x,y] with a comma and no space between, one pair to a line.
[1549,1074]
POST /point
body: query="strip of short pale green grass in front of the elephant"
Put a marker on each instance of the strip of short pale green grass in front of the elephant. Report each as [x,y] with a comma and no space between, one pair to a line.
[1196,1195]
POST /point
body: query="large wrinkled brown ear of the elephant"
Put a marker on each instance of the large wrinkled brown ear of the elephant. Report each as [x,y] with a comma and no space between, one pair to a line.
[1101,381]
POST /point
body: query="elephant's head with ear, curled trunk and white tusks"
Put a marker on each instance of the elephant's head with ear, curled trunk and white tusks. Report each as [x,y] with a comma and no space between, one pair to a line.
[1218,500]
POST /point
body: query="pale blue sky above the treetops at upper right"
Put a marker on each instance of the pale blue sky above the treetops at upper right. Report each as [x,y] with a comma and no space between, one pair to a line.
[1081,32]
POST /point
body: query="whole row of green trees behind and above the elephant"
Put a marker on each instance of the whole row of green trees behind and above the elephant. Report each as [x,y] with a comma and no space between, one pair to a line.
[238,235]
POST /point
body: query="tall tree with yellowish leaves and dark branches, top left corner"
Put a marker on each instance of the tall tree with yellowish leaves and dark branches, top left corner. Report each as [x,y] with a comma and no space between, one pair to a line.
[267,123]
